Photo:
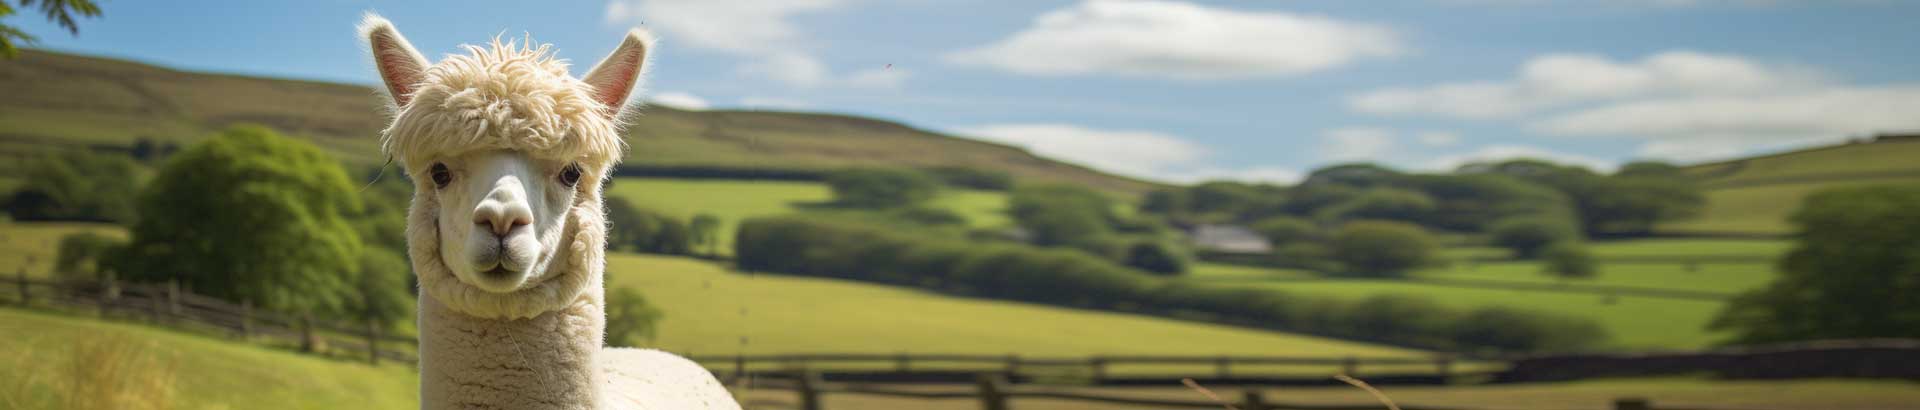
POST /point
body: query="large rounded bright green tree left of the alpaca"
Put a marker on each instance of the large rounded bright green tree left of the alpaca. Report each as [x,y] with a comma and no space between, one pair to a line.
[251,216]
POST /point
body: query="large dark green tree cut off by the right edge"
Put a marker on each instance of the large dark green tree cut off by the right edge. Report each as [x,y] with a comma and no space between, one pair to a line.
[1854,273]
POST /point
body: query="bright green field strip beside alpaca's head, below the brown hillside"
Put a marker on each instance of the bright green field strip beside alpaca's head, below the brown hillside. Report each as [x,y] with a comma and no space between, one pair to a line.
[736,200]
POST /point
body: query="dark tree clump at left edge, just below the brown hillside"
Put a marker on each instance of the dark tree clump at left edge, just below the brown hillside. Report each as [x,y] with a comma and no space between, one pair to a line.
[76,187]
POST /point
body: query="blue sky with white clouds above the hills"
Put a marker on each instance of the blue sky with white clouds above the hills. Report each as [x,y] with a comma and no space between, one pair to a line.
[1176,91]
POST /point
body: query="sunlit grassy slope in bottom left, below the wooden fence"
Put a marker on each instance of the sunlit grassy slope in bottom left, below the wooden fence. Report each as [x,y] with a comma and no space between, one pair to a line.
[49,357]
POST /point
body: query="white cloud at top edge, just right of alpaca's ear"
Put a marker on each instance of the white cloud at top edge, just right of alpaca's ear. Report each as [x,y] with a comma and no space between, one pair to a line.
[759,32]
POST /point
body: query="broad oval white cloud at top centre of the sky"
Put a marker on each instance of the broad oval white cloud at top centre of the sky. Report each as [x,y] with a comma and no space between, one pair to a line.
[1180,41]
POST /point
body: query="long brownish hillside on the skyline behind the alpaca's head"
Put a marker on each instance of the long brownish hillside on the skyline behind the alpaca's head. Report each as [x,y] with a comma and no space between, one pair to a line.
[80,101]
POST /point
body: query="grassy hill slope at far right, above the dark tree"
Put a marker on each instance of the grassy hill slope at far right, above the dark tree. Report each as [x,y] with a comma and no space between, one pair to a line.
[1758,194]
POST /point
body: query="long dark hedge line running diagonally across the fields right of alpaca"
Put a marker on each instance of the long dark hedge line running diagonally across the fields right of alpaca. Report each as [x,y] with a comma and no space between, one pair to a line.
[1074,279]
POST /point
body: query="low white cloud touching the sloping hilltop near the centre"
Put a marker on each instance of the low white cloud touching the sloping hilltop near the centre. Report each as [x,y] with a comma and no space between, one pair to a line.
[1124,152]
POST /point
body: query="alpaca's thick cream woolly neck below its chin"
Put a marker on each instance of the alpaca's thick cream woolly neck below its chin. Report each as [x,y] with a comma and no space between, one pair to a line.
[548,361]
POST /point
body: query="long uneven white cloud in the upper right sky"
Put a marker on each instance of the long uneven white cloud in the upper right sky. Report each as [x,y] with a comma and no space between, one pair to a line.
[1572,80]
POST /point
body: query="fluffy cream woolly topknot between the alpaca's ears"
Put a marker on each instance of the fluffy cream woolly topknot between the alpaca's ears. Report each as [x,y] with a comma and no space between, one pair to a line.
[506,97]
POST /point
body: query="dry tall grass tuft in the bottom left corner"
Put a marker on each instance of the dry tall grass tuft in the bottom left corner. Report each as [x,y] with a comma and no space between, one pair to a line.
[114,371]
